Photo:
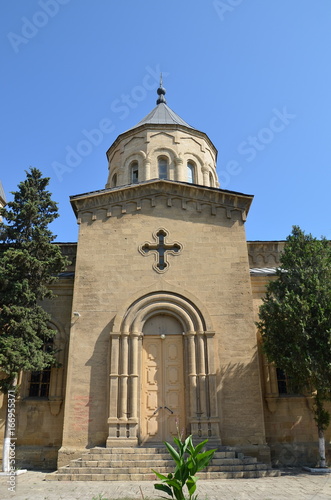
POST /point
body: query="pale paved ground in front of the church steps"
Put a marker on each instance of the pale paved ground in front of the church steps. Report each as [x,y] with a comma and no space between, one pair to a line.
[292,485]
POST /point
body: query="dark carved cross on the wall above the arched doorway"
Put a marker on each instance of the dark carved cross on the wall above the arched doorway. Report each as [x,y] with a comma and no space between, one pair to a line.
[161,249]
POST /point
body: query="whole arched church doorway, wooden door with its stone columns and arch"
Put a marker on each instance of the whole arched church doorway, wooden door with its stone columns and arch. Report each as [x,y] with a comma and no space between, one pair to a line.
[162,354]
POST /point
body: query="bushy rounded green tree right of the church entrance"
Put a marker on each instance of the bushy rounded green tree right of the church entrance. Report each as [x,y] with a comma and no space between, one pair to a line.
[295,321]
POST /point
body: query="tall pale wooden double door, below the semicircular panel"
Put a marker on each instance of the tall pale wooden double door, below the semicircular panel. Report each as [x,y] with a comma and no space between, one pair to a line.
[162,395]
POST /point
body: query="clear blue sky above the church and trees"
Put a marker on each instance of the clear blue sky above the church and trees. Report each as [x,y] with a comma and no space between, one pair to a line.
[255,75]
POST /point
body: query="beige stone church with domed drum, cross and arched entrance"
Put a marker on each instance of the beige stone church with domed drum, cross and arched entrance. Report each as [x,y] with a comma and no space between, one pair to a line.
[155,316]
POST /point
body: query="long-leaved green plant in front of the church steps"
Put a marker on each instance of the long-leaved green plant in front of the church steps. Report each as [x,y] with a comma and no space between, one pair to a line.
[189,460]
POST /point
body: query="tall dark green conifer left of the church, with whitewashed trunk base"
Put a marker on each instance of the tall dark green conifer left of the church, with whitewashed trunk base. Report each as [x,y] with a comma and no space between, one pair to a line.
[29,265]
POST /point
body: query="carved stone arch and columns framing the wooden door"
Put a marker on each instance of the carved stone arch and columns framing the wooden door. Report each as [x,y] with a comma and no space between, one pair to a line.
[125,367]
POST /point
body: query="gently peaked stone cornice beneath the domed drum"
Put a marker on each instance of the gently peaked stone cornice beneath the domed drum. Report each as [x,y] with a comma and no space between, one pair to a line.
[128,199]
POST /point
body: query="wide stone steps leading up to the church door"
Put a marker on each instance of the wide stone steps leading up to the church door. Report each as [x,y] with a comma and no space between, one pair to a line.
[136,464]
